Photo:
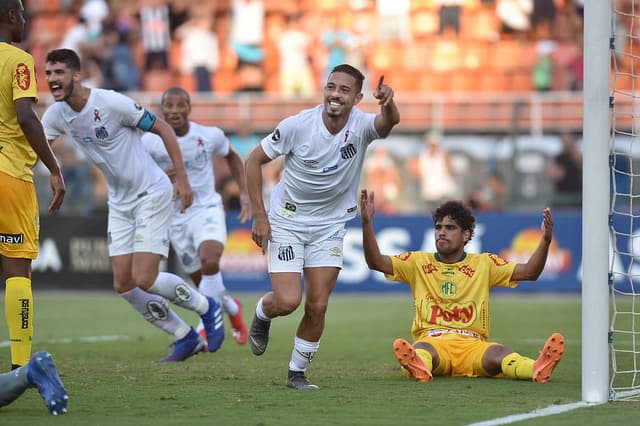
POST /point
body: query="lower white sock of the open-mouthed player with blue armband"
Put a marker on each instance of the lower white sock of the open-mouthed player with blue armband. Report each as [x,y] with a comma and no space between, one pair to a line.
[156,311]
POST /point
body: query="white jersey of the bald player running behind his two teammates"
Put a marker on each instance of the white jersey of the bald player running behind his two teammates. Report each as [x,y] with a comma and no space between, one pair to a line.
[197,146]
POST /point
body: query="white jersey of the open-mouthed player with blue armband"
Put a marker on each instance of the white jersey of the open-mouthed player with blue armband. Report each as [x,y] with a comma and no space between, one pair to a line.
[106,132]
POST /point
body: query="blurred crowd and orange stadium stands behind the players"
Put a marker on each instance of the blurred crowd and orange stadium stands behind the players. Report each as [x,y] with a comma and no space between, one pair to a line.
[234,53]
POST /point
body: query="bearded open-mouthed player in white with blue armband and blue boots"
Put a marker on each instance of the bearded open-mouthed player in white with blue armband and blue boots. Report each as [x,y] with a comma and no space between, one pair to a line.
[107,126]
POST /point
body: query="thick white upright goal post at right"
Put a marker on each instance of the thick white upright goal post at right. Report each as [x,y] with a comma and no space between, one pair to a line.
[596,201]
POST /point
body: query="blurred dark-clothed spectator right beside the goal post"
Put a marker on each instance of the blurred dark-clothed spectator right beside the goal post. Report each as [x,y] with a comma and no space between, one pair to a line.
[566,173]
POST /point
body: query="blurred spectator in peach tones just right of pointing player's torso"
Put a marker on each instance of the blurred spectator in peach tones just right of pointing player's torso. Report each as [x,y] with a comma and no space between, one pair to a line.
[382,177]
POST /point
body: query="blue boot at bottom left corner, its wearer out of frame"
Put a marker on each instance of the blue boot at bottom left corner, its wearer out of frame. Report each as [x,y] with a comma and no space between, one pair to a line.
[42,374]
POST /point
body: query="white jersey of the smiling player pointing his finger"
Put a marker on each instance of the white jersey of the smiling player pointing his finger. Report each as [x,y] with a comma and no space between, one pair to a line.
[322,171]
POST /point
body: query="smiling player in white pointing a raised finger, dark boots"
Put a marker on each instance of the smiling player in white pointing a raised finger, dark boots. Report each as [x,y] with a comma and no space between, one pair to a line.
[303,233]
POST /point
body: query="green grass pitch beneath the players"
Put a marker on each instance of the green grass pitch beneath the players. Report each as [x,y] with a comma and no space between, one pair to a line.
[108,356]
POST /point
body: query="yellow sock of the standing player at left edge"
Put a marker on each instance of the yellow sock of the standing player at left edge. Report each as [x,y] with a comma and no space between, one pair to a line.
[19,313]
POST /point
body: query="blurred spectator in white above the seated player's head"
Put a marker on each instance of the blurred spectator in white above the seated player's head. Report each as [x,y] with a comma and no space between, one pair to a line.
[432,170]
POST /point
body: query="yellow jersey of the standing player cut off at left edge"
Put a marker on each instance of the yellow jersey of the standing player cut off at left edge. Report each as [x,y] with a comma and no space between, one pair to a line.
[17,80]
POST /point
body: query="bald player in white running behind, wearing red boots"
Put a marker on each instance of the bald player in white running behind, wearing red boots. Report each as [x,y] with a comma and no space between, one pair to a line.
[198,236]
